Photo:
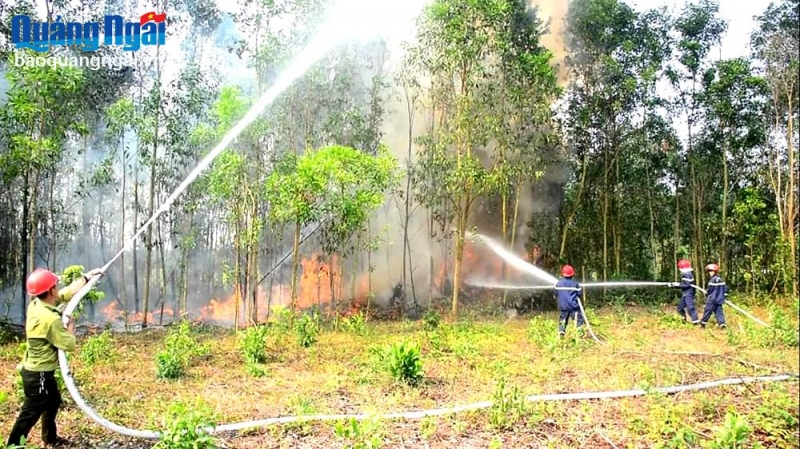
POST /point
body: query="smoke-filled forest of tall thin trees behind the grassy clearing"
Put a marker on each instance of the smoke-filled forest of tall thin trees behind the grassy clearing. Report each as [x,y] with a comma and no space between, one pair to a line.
[641,148]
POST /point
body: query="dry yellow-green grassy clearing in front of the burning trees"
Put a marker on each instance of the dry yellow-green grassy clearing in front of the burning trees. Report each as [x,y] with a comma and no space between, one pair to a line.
[349,368]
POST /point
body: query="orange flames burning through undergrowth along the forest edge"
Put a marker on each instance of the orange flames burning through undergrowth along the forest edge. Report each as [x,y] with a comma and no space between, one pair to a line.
[324,283]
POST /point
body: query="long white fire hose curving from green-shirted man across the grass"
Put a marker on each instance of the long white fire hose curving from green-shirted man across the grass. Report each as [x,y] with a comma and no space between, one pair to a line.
[149,434]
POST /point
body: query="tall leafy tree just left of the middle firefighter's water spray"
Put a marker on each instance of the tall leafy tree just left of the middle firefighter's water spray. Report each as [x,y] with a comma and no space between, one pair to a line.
[456,42]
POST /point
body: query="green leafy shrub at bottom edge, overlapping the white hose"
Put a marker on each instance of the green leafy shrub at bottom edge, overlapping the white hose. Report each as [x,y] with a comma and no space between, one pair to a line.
[184,427]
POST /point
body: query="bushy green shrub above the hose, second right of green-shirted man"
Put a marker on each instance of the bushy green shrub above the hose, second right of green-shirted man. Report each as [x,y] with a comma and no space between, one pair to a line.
[181,347]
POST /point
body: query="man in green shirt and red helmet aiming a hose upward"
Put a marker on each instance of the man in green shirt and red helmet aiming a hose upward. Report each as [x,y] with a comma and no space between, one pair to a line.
[45,333]
